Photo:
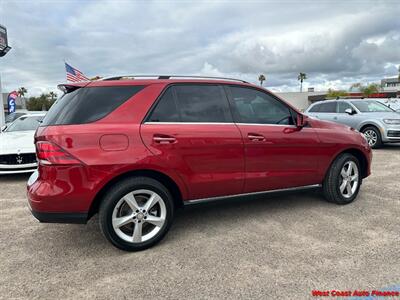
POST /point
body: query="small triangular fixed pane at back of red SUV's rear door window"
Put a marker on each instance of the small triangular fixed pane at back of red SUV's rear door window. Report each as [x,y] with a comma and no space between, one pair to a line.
[165,110]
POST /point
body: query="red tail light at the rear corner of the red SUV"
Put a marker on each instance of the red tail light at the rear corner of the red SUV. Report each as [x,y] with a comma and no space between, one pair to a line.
[51,154]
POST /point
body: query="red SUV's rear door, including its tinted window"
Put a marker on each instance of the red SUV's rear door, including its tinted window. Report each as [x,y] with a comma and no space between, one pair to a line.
[191,131]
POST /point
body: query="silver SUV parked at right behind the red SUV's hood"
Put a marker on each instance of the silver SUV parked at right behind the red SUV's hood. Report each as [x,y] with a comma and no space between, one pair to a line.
[379,123]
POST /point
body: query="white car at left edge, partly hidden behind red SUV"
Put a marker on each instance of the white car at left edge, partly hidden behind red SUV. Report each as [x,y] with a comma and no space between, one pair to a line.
[17,149]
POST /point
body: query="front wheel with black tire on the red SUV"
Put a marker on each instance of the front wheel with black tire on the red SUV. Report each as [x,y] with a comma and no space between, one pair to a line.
[343,180]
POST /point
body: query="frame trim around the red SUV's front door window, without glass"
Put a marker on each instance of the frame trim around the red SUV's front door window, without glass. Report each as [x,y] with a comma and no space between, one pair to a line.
[236,115]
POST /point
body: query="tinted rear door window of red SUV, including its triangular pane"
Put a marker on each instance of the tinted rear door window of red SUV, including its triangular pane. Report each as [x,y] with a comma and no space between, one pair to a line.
[192,103]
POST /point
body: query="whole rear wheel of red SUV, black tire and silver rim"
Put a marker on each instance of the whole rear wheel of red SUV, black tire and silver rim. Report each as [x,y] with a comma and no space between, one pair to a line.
[136,213]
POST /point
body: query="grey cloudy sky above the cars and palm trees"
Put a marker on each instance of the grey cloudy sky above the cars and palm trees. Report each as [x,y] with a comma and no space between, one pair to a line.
[336,43]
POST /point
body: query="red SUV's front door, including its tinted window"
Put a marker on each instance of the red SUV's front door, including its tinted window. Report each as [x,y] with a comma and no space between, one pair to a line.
[278,153]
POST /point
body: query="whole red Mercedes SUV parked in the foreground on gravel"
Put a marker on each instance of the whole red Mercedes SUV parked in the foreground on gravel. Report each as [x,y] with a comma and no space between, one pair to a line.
[135,149]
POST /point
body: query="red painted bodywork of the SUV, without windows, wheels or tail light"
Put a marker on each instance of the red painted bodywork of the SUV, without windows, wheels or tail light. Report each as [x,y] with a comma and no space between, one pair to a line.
[202,160]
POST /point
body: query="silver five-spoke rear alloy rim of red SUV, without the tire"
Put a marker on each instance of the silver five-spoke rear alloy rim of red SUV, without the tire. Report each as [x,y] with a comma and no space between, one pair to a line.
[139,216]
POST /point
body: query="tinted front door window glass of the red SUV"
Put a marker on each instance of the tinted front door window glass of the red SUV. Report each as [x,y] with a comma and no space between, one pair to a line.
[254,106]
